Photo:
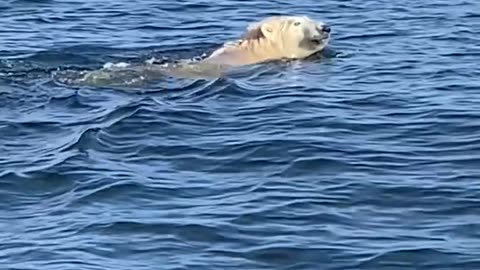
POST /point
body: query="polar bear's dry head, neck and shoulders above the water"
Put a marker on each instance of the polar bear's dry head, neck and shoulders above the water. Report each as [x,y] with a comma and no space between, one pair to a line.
[274,38]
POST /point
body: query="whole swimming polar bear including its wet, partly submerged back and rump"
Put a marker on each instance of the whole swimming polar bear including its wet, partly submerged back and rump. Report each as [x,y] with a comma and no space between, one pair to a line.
[273,38]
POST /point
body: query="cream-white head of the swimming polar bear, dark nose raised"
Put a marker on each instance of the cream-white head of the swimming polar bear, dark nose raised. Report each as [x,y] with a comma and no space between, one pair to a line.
[294,36]
